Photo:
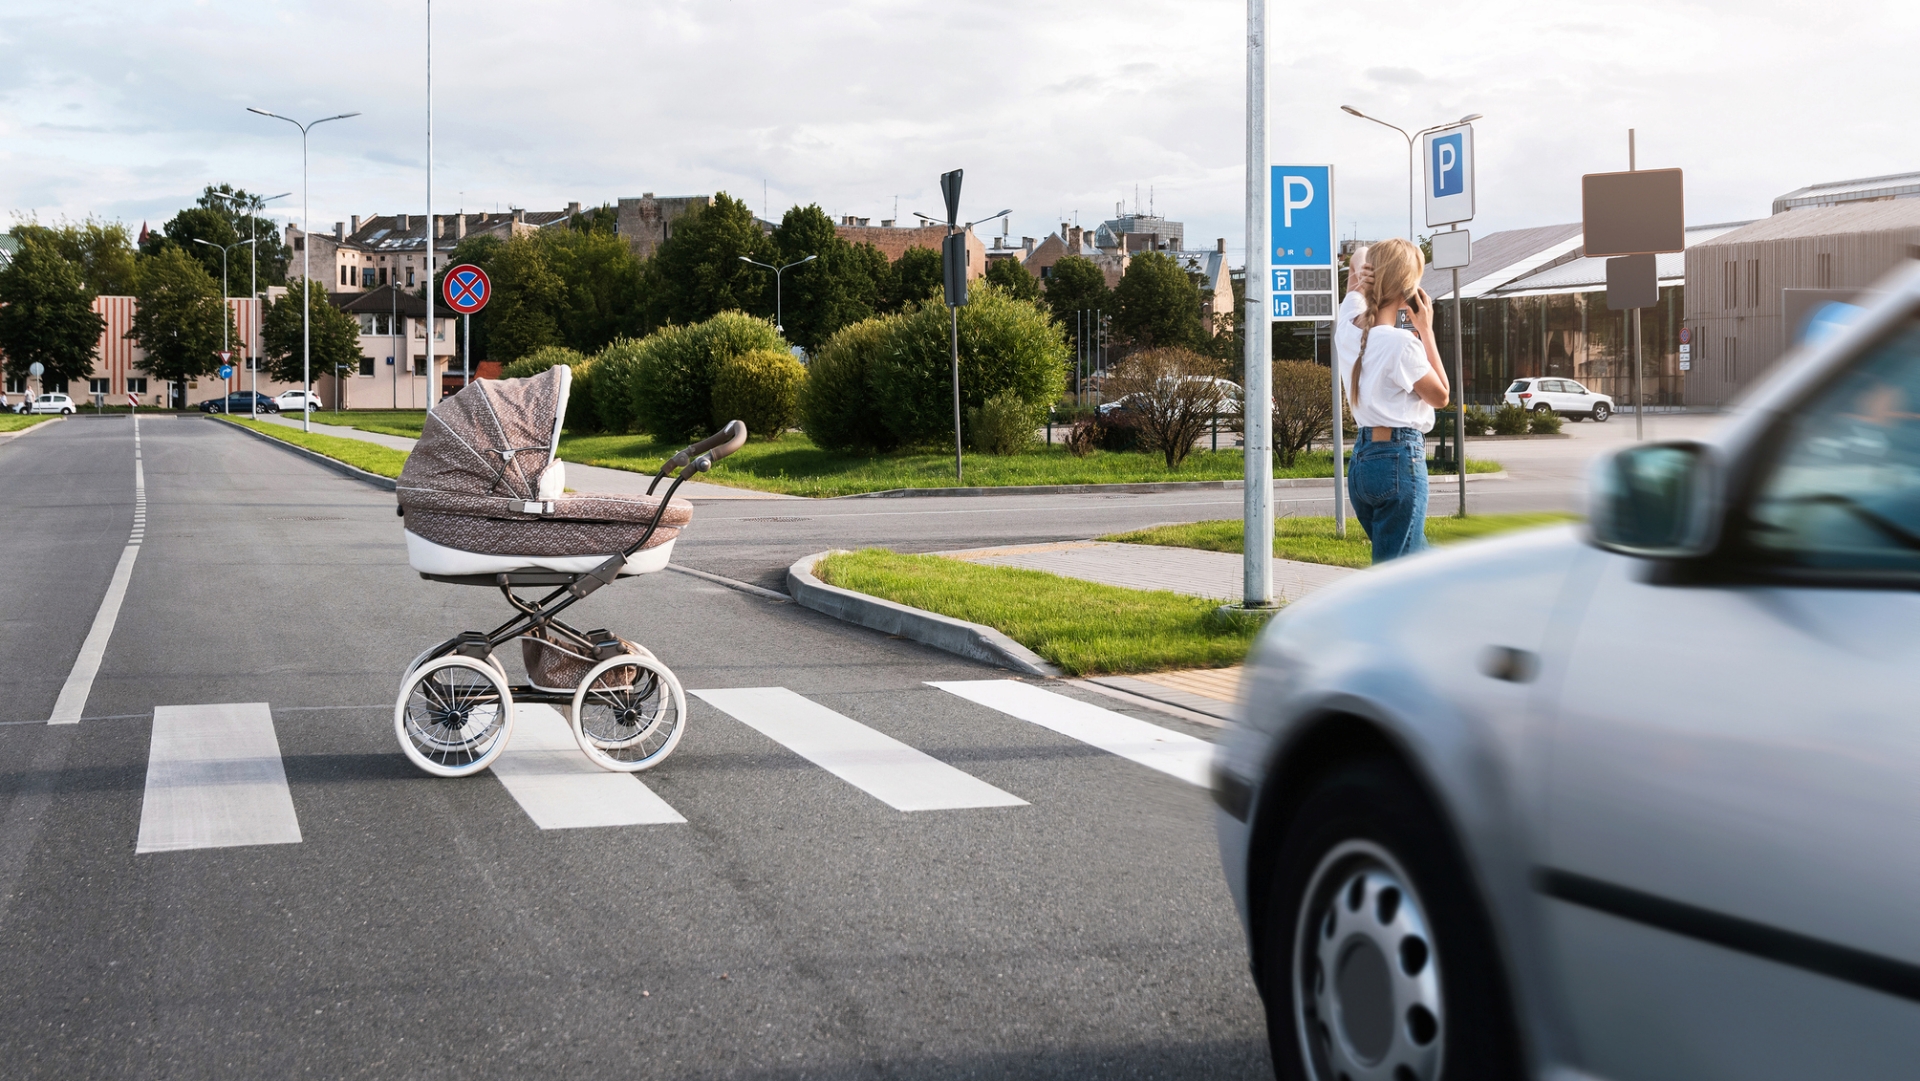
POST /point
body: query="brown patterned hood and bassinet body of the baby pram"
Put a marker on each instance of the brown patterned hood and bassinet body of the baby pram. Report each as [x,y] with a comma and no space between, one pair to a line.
[483,479]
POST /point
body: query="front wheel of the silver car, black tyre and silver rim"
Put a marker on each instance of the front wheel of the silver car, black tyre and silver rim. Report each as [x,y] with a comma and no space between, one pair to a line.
[1368,877]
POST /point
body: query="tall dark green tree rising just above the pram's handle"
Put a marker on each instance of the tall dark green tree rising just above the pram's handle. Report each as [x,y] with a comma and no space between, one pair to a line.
[698,274]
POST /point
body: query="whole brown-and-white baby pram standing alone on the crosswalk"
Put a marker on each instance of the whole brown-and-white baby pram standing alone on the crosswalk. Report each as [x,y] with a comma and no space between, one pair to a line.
[487,504]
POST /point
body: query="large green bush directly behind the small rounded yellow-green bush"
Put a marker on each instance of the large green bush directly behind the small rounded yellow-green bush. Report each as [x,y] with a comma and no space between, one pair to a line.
[673,381]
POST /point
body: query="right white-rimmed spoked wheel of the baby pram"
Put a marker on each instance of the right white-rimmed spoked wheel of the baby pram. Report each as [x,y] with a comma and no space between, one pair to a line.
[629,713]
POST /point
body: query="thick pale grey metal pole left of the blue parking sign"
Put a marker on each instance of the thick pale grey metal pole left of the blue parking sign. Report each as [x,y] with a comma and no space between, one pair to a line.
[1257,420]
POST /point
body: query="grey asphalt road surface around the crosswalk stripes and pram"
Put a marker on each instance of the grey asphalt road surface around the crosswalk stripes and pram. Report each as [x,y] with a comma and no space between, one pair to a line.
[794,926]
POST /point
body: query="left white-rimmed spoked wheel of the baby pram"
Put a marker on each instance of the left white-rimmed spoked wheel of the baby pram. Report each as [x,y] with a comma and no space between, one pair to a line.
[454,715]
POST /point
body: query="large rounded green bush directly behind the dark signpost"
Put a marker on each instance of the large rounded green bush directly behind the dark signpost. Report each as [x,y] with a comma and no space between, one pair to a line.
[1005,347]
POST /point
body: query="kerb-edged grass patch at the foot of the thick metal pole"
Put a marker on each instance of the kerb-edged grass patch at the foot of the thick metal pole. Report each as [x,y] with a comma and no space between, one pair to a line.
[1082,627]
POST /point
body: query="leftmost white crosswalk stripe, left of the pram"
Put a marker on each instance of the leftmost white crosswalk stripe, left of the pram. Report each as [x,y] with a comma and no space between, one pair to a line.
[214,781]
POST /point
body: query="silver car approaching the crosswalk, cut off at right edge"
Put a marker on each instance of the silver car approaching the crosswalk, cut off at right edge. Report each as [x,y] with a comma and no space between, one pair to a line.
[1637,800]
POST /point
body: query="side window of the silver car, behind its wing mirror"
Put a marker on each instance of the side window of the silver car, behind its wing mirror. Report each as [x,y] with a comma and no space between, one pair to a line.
[1846,491]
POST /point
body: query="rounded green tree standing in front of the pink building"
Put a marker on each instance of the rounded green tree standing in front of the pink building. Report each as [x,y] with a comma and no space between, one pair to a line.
[180,318]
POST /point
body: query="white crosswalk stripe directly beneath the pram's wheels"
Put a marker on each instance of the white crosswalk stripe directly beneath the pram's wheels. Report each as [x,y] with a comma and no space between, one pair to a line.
[560,788]
